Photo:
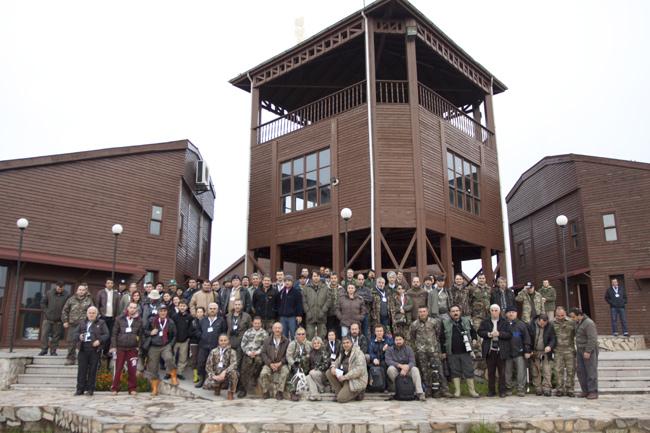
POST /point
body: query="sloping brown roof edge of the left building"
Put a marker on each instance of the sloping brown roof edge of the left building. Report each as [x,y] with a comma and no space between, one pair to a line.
[12,164]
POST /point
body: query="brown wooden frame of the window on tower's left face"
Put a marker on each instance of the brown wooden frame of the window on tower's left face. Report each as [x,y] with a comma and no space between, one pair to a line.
[295,192]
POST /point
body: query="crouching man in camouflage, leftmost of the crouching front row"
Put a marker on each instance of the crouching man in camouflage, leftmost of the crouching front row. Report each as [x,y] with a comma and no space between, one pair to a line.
[221,368]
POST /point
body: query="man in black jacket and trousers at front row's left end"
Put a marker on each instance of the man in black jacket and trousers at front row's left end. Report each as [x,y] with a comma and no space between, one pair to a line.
[92,333]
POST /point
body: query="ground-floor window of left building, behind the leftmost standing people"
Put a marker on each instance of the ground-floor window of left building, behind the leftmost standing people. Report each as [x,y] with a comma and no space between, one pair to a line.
[29,314]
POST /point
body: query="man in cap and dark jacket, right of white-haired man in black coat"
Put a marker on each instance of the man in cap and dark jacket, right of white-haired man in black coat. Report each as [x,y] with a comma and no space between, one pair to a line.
[519,350]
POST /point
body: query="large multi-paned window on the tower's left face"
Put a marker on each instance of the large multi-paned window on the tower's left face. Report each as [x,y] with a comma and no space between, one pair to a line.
[305,182]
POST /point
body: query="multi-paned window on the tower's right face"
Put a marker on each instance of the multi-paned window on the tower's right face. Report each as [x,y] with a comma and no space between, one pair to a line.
[463,179]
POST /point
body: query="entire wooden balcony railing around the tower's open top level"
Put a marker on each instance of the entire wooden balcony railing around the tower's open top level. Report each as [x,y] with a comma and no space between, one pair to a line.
[388,92]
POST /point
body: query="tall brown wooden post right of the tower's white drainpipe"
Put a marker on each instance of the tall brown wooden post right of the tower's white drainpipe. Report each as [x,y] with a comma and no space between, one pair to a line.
[420,228]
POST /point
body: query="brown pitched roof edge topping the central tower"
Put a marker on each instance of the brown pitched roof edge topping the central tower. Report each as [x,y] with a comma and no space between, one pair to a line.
[242,80]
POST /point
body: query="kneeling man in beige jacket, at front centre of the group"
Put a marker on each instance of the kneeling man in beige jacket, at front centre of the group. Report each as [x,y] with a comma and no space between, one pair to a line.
[348,375]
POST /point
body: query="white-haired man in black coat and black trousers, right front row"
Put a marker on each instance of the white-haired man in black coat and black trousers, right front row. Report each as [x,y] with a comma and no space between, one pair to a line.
[496,335]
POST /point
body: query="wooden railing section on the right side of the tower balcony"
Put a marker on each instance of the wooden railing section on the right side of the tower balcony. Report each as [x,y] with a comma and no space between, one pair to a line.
[444,109]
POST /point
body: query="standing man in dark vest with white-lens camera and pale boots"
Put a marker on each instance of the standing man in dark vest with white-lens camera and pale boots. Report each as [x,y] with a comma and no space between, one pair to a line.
[456,344]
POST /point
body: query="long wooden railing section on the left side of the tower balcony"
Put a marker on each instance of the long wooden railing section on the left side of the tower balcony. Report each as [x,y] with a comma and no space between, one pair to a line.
[326,107]
